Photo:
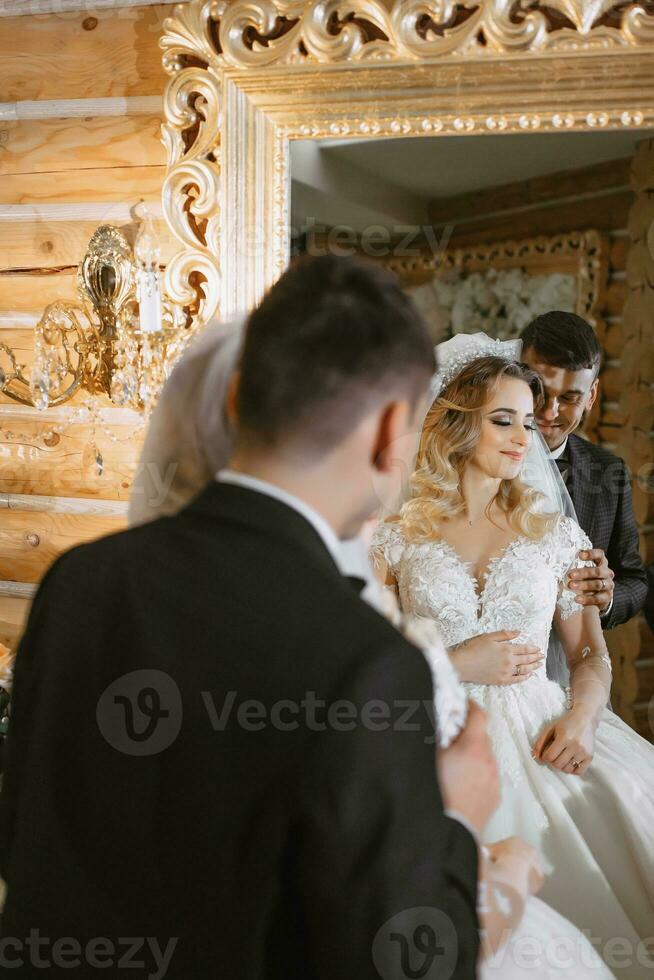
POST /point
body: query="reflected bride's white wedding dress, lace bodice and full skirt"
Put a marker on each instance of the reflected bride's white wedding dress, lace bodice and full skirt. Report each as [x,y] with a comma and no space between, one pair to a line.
[596,831]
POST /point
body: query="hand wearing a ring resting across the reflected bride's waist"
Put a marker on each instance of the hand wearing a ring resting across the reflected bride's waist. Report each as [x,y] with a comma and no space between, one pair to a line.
[491,659]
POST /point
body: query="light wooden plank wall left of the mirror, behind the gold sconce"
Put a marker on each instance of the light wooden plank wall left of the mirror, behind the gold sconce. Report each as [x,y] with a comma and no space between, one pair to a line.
[80,115]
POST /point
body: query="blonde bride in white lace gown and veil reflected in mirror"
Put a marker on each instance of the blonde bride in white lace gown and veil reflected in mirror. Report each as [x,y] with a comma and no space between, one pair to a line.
[477,549]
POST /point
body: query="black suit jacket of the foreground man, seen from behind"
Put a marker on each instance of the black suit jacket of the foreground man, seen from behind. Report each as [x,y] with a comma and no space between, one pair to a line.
[269,843]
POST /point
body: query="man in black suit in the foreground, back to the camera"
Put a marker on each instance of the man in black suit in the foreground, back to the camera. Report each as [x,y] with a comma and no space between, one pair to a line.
[221,760]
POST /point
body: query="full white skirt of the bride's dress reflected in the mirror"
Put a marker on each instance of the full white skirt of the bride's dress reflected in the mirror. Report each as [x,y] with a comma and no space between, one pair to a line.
[596,831]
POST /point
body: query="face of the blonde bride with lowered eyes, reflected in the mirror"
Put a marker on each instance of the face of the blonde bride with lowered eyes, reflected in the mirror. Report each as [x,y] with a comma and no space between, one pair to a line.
[507,427]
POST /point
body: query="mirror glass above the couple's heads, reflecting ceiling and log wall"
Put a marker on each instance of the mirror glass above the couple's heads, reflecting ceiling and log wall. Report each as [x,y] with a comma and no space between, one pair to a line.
[485,233]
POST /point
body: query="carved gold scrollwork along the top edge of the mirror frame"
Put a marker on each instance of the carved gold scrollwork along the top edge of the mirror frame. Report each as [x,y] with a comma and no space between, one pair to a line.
[273,32]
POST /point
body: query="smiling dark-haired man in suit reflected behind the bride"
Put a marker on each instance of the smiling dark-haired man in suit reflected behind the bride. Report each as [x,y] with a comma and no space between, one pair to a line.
[564,350]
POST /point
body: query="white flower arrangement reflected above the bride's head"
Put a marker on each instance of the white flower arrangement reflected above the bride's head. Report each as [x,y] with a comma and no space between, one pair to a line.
[499,302]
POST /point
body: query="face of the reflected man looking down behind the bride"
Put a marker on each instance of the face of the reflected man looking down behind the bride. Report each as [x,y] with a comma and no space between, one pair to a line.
[569,395]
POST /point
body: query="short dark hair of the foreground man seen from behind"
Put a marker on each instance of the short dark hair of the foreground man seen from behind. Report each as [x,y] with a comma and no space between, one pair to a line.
[330,338]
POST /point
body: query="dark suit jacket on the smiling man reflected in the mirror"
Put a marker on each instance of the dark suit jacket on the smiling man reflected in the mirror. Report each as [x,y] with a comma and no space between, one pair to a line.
[601,493]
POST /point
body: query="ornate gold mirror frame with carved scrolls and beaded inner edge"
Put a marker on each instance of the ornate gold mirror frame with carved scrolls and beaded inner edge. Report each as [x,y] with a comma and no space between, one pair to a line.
[251,75]
